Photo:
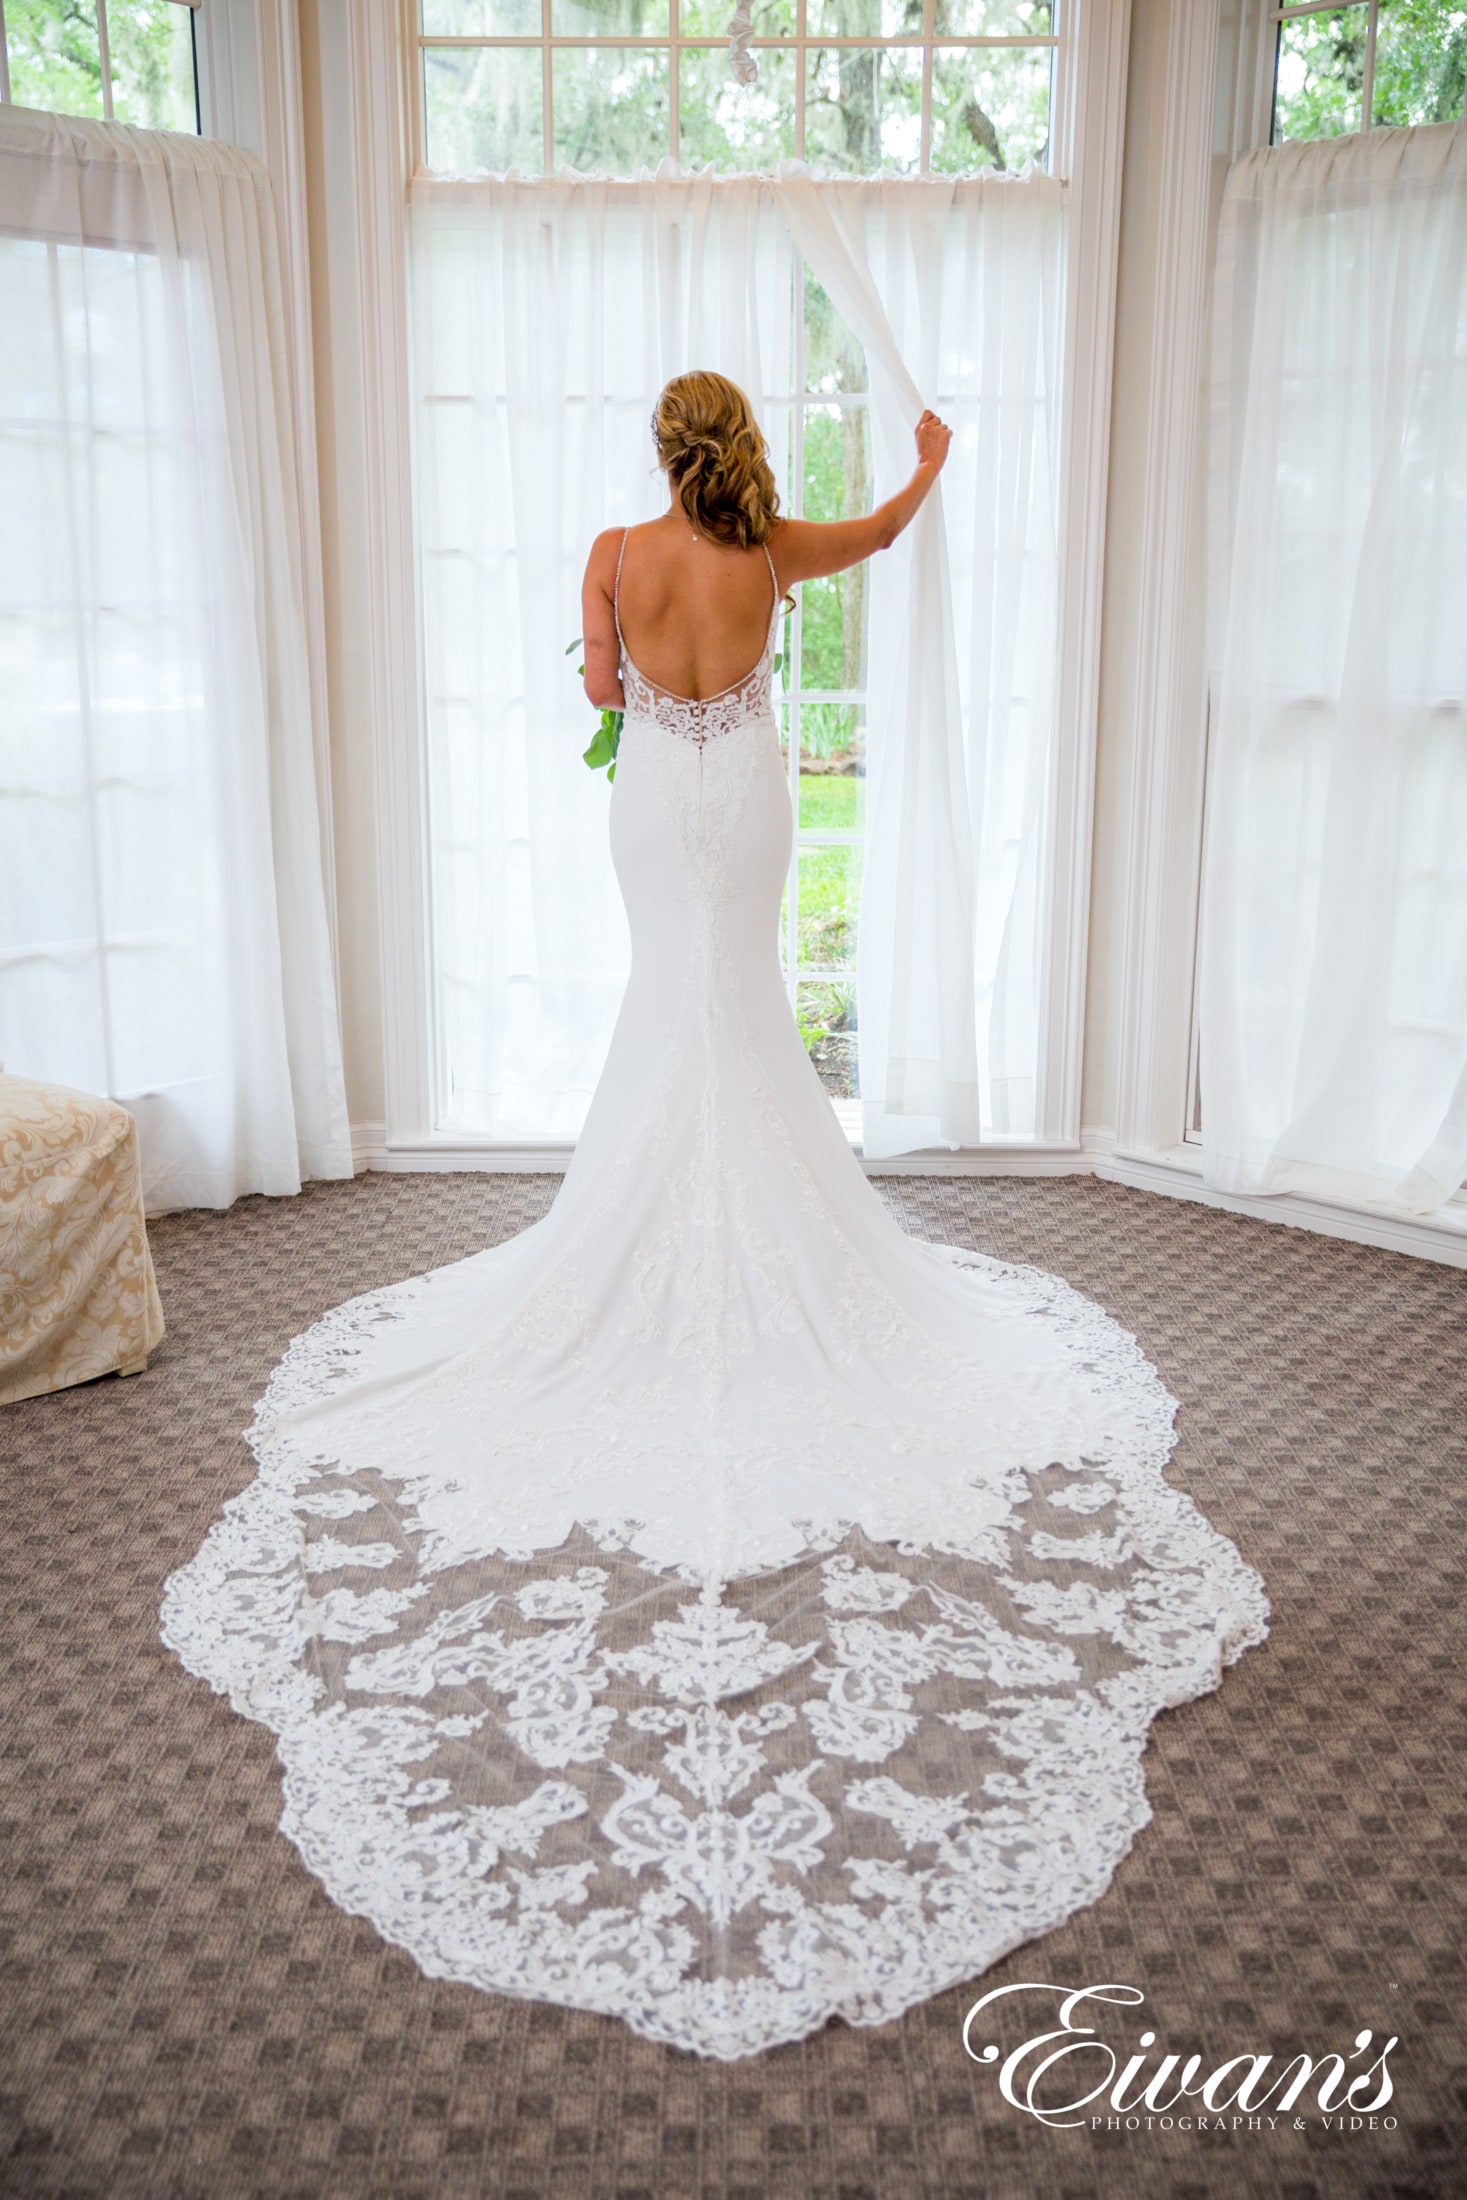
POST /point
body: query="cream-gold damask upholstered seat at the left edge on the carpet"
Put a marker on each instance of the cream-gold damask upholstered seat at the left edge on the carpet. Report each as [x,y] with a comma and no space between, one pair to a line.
[78,1295]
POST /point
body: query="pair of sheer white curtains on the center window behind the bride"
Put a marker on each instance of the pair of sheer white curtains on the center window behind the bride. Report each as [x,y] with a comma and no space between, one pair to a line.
[549,318]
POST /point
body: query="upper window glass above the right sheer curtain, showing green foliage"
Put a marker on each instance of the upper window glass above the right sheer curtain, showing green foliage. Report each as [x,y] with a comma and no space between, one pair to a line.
[1371,65]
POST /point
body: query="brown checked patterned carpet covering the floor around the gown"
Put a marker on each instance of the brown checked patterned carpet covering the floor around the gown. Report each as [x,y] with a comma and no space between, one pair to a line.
[184,2012]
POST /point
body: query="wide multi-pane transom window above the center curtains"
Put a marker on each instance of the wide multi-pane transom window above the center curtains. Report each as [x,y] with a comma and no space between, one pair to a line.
[909,87]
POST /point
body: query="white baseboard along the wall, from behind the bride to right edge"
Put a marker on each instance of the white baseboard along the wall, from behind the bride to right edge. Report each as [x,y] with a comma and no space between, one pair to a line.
[1169,1176]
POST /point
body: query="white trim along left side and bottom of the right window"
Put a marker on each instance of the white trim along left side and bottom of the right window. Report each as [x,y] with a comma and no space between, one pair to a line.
[1220,104]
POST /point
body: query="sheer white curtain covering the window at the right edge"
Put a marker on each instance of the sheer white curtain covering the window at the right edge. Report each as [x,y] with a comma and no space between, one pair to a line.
[1334,991]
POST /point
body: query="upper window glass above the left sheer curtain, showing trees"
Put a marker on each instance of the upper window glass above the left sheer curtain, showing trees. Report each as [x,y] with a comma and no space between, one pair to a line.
[120,60]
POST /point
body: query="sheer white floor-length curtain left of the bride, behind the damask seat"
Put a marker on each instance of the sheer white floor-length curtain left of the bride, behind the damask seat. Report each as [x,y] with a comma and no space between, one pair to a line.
[164,925]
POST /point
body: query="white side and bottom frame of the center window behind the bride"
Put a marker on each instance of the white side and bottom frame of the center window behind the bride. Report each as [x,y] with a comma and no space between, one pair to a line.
[373,58]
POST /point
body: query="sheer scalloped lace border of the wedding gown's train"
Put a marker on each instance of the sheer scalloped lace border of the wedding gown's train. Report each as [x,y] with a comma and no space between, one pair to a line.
[727,1772]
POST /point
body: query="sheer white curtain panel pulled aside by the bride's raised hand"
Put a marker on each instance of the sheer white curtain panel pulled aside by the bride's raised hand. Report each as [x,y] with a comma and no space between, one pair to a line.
[956,291]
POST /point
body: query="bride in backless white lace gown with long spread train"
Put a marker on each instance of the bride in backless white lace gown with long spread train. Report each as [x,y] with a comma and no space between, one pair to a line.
[714,1607]
